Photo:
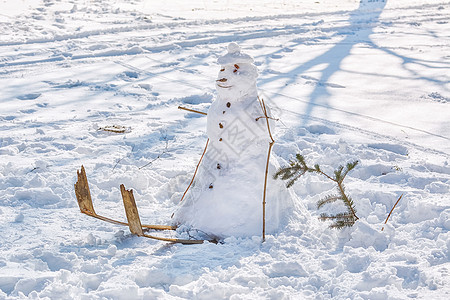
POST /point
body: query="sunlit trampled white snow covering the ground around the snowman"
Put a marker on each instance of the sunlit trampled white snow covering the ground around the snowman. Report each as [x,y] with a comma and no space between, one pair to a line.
[349,80]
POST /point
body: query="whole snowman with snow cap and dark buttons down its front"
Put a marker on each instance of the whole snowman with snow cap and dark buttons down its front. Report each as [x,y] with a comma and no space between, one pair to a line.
[226,197]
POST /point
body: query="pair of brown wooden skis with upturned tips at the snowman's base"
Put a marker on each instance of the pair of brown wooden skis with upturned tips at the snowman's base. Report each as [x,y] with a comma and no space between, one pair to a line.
[84,199]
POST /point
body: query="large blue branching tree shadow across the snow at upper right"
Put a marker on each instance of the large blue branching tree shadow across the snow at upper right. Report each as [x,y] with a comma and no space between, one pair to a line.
[361,26]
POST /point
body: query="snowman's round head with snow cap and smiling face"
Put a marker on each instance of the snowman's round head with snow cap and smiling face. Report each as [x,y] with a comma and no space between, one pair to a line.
[237,76]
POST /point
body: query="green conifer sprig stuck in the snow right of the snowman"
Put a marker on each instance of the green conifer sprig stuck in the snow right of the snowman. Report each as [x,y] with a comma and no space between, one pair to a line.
[298,168]
